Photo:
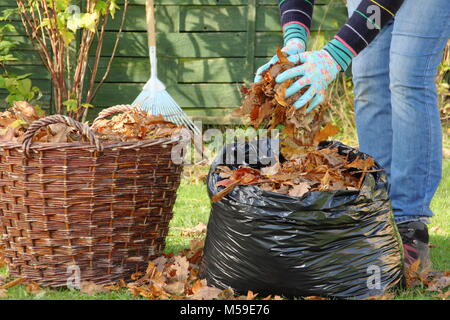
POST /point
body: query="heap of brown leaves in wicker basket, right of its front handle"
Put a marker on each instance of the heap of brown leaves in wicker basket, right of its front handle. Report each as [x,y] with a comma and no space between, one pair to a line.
[135,125]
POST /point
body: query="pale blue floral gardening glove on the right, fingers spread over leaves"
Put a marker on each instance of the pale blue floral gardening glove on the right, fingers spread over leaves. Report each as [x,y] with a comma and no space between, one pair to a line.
[317,70]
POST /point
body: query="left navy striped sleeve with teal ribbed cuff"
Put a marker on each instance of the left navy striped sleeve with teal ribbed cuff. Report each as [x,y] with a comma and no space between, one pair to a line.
[296,18]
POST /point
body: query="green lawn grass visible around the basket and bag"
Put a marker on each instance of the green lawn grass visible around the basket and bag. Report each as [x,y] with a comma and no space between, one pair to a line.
[193,206]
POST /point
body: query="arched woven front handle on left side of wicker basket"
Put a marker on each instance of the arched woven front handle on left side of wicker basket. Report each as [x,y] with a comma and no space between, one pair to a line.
[82,128]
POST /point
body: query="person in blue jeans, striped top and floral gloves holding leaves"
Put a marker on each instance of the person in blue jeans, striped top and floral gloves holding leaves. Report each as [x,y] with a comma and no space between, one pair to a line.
[395,47]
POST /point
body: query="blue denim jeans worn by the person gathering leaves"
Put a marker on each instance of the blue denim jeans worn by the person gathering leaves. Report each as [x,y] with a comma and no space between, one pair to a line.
[396,107]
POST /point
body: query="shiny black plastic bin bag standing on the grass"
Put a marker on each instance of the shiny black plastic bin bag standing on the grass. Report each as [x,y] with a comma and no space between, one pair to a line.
[341,244]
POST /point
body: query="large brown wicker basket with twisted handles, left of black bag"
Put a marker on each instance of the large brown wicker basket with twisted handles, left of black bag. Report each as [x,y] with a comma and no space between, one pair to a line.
[102,208]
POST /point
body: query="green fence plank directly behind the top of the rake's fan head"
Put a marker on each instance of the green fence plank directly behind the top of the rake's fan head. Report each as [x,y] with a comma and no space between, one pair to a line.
[186,95]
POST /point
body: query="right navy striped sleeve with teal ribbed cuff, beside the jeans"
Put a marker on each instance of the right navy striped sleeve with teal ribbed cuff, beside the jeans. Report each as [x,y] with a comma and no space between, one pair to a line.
[361,28]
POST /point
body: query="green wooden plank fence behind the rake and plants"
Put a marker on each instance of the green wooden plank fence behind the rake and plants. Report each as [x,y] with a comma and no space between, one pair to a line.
[206,49]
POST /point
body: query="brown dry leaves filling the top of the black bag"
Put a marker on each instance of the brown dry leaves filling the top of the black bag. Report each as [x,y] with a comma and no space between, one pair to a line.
[315,170]
